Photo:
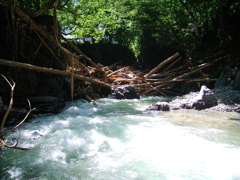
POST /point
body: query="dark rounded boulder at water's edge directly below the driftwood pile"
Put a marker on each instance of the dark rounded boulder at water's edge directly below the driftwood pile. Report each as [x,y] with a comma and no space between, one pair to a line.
[126,92]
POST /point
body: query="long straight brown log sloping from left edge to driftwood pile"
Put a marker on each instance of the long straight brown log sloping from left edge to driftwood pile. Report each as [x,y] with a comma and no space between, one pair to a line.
[52,71]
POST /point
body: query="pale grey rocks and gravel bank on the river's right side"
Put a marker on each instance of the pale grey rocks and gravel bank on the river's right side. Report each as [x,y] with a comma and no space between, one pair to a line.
[224,99]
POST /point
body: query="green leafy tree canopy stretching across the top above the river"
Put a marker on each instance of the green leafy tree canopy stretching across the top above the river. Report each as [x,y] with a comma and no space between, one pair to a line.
[142,24]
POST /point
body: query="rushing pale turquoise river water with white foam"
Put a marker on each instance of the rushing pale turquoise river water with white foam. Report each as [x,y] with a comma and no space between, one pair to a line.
[121,140]
